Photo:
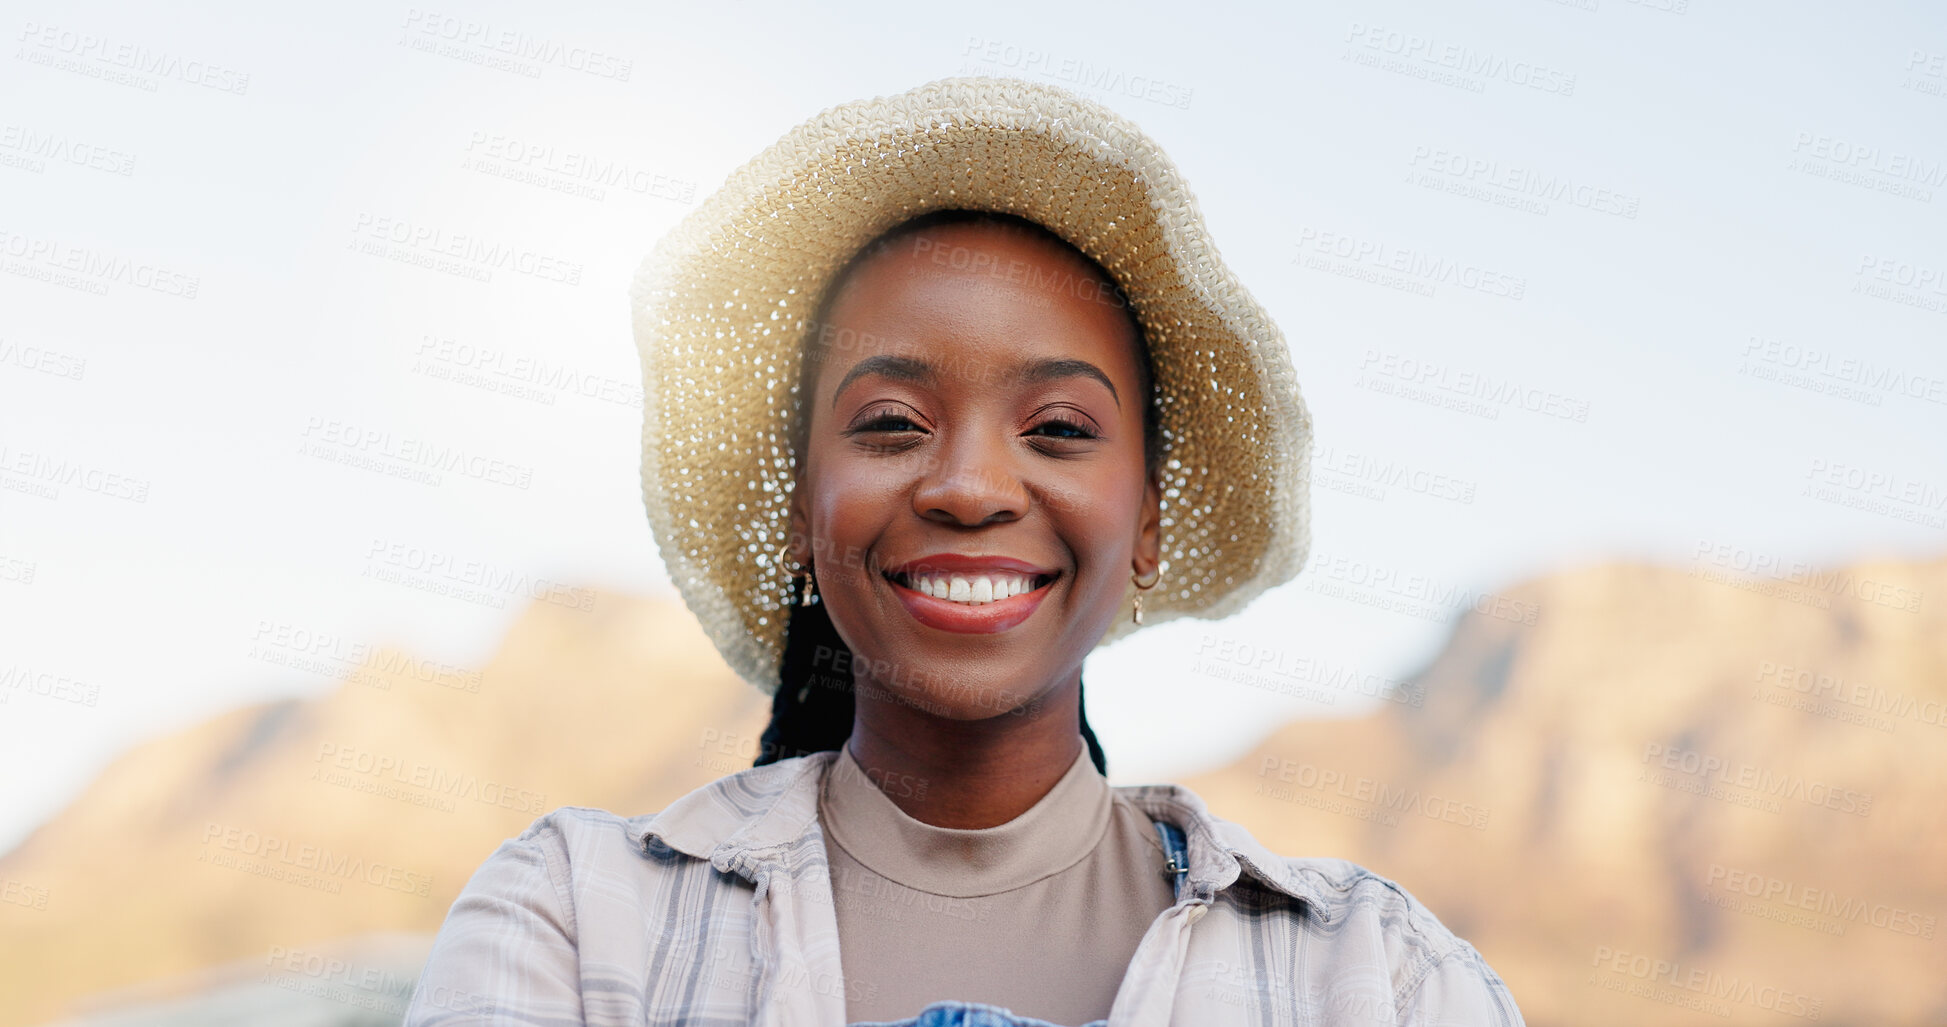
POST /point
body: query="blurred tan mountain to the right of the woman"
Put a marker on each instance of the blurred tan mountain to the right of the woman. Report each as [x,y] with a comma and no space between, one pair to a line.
[1675,798]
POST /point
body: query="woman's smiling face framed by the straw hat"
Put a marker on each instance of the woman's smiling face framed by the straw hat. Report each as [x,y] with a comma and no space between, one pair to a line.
[976,428]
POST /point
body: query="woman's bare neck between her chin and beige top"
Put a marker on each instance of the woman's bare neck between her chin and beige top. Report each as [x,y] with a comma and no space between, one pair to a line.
[976,775]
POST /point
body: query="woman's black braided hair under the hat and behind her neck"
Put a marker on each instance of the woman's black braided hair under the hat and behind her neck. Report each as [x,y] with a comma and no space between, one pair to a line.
[815,704]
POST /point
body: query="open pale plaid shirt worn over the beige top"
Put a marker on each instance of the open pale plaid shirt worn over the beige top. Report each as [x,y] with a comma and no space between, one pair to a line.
[717,913]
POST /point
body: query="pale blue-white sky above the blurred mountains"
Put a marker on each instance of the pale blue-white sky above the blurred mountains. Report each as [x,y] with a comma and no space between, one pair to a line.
[1562,282]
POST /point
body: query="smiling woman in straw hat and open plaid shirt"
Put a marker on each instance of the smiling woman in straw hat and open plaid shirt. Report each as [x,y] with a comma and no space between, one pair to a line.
[941,389]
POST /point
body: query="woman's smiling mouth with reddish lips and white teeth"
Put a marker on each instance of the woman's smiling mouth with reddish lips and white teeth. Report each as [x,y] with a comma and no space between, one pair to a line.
[971,593]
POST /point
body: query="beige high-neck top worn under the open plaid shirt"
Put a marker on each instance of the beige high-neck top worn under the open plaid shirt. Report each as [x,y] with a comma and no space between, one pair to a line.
[1039,915]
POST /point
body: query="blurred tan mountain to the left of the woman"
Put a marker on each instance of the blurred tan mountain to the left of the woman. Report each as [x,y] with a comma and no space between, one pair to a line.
[285,827]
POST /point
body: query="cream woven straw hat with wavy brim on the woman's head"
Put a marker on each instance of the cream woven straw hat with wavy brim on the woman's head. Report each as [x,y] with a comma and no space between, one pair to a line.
[723,305]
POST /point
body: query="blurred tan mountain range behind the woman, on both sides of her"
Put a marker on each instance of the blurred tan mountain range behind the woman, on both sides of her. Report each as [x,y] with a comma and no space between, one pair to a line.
[1673,798]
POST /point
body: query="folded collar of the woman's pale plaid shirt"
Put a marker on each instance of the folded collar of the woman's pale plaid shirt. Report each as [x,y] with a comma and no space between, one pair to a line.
[745,823]
